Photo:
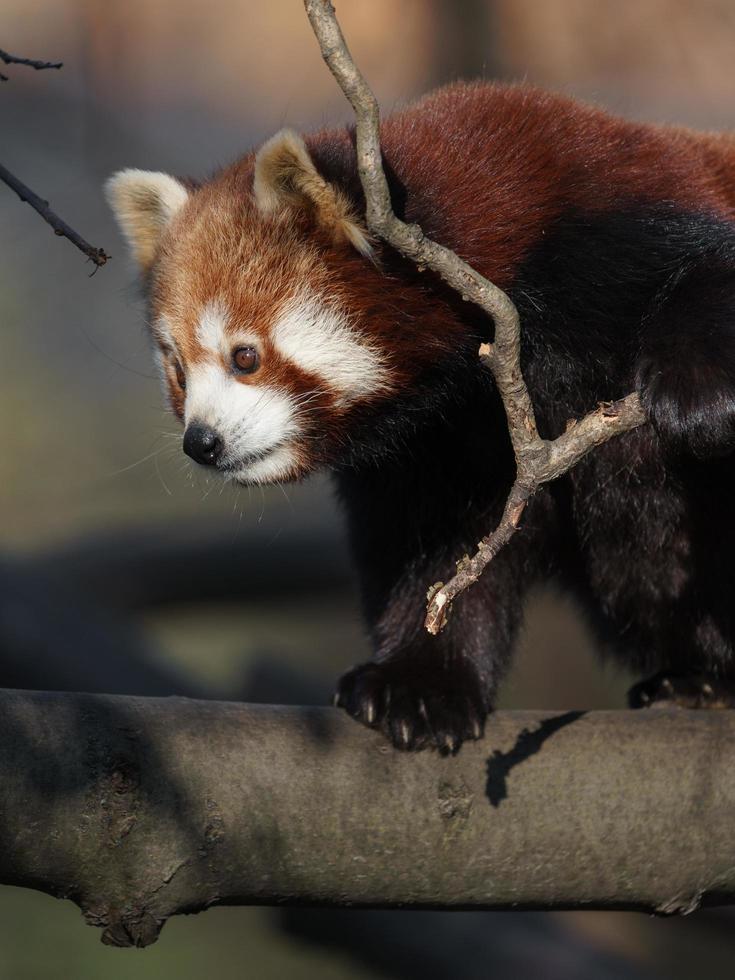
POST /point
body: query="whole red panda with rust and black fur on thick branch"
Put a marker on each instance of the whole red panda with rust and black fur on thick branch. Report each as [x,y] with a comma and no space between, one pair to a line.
[290,341]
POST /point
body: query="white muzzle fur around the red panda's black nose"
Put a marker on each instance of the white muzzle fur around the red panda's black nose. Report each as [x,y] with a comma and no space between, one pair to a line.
[253,421]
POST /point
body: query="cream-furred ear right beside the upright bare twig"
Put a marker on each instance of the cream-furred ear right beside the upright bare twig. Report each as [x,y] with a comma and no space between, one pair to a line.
[285,177]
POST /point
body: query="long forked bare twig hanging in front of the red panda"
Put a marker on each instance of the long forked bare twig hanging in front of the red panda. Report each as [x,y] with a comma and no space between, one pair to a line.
[537,460]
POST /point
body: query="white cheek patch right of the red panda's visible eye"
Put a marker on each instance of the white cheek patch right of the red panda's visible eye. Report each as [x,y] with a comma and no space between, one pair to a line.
[319,338]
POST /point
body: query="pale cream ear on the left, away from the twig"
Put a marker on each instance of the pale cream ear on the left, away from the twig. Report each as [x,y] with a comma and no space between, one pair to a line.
[144,202]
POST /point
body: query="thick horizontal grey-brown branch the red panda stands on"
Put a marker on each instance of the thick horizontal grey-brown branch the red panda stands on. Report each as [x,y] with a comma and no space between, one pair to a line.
[141,808]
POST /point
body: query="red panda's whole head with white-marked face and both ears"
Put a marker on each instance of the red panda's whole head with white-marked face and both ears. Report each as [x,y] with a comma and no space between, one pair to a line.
[274,327]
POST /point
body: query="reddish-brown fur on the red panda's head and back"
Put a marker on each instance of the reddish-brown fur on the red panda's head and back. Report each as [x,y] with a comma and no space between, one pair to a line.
[530,157]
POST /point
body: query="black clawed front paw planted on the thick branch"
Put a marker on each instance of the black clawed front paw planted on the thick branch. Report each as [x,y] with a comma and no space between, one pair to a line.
[415,706]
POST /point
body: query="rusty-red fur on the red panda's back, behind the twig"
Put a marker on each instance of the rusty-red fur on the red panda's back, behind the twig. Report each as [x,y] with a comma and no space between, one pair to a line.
[489,166]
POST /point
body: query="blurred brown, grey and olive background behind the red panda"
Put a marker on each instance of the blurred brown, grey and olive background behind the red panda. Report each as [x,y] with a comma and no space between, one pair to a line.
[122,569]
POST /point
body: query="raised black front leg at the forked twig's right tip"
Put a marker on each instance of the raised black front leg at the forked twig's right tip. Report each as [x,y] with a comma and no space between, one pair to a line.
[686,367]
